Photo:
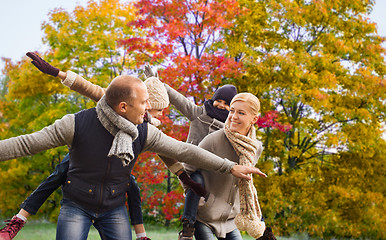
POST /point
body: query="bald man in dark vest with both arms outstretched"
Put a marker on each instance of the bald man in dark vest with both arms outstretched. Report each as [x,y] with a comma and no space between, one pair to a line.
[104,143]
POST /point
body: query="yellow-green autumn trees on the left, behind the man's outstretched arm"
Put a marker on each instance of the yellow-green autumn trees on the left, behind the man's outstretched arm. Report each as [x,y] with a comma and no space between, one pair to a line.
[85,41]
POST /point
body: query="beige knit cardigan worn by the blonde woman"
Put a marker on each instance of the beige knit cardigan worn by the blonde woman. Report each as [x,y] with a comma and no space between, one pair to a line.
[223,204]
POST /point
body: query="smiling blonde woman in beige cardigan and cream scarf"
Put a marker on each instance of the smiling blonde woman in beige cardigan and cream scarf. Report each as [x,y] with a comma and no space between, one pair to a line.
[226,211]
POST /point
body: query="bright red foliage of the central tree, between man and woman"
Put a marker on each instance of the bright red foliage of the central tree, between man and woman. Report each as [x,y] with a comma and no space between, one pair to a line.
[180,36]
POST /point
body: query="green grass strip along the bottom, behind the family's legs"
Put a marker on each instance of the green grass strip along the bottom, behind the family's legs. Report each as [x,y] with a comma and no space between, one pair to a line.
[43,230]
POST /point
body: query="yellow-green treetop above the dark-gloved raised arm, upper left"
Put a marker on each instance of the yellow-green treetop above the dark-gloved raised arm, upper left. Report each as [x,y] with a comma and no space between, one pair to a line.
[86,40]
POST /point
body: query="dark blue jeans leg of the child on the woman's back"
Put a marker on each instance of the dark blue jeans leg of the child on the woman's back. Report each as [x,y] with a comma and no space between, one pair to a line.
[192,199]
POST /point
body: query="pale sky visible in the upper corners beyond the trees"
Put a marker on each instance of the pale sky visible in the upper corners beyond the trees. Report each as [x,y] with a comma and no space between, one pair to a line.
[20,24]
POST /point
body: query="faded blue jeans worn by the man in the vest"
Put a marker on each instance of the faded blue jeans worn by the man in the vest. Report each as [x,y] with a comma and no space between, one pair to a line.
[74,223]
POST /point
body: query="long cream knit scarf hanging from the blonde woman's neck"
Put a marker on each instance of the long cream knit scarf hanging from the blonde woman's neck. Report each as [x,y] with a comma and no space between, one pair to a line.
[249,218]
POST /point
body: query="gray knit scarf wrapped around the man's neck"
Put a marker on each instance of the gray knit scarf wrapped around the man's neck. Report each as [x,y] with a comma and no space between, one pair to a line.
[124,132]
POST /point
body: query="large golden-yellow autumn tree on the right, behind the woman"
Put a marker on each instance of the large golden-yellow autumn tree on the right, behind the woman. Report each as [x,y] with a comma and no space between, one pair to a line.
[321,65]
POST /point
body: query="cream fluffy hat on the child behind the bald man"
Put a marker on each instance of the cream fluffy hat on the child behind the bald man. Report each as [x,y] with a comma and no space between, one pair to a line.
[158,96]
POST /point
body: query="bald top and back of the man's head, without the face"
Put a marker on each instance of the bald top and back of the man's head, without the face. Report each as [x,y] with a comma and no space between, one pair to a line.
[122,89]
